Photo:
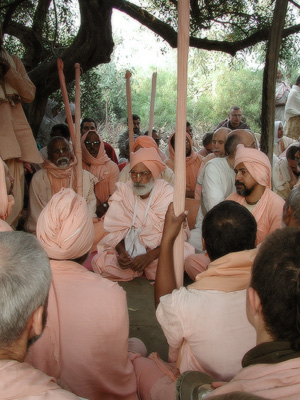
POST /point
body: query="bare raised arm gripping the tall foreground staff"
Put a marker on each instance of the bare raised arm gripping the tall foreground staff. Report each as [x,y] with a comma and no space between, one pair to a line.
[165,277]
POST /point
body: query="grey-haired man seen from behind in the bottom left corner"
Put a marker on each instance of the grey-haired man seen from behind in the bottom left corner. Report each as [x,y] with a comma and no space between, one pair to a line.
[25,279]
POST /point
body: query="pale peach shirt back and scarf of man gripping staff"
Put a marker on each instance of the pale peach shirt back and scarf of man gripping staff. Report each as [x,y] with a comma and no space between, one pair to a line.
[212,323]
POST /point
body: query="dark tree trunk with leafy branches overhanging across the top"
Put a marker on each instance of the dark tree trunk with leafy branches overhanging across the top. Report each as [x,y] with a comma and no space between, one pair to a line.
[48,29]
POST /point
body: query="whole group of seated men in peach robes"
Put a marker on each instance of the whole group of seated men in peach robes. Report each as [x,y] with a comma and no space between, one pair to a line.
[124,228]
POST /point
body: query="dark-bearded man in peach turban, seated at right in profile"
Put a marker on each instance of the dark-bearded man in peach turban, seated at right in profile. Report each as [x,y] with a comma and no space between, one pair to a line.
[253,190]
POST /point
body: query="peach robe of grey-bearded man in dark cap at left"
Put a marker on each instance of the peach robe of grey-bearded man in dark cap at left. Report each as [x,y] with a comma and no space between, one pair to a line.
[49,181]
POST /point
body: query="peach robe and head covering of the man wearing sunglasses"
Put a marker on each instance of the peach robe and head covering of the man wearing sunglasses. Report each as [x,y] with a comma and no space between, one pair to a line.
[105,170]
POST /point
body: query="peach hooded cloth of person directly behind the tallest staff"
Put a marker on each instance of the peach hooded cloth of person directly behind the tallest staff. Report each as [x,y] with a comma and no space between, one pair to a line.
[193,163]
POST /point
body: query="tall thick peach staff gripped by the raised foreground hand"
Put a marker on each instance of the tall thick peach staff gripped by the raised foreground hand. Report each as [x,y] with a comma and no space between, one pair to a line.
[180,133]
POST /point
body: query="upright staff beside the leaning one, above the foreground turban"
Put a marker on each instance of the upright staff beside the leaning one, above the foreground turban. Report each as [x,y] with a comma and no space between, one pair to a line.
[78,150]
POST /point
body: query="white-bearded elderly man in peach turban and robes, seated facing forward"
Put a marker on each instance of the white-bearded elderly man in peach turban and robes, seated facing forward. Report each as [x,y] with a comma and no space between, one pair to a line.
[134,221]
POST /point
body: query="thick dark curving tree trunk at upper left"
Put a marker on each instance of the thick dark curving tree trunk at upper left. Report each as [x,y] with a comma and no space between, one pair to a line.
[92,46]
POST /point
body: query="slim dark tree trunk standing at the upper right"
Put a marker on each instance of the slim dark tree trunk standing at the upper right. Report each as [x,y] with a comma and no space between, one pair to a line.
[269,79]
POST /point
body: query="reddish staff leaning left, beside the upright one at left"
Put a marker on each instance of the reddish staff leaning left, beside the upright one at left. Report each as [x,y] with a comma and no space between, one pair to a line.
[63,88]
